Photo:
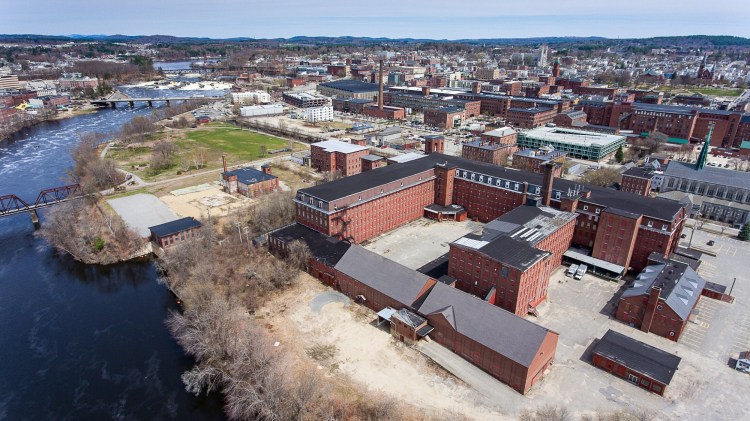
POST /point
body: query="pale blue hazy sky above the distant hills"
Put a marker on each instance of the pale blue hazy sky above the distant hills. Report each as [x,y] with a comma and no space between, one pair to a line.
[435,19]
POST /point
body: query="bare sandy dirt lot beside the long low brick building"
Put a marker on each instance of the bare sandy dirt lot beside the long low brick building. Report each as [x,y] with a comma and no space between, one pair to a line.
[315,322]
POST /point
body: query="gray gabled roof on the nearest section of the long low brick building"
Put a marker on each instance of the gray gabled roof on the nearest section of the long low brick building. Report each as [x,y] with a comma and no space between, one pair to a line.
[509,335]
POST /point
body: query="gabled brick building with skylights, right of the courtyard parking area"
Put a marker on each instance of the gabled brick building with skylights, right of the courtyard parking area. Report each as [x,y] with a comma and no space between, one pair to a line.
[661,299]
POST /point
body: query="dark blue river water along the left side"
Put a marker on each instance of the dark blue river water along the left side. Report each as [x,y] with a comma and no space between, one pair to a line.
[81,342]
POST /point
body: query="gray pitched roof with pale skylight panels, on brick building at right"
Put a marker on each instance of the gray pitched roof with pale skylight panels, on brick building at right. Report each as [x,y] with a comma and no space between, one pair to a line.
[680,286]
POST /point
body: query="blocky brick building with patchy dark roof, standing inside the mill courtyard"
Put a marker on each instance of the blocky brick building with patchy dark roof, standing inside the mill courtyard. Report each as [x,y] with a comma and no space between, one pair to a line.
[510,262]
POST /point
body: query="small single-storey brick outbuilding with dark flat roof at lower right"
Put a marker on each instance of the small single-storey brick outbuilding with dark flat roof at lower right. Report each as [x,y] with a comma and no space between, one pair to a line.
[641,364]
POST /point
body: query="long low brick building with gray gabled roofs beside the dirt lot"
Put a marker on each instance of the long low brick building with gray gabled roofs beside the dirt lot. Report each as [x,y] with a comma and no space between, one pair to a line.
[513,350]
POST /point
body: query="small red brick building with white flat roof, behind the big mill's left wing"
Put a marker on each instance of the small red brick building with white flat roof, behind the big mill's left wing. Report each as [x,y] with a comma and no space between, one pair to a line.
[333,155]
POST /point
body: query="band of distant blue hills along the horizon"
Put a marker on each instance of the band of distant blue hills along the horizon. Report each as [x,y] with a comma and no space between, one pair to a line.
[694,41]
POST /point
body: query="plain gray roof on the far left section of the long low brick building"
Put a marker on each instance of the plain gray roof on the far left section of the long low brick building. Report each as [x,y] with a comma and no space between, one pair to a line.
[383,275]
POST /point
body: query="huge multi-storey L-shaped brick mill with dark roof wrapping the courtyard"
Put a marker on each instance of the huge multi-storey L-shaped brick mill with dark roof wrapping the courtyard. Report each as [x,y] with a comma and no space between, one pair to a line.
[613,226]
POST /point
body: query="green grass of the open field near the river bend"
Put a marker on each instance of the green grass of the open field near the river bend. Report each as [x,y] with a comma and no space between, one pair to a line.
[240,145]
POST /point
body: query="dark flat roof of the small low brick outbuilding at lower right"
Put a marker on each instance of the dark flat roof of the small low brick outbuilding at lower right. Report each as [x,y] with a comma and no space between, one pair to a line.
[638,356]
